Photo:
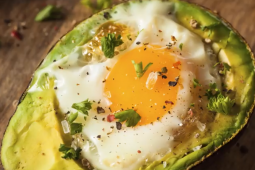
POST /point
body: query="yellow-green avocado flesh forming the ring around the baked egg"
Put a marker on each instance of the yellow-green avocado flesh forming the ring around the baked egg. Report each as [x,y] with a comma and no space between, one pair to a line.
[34,133]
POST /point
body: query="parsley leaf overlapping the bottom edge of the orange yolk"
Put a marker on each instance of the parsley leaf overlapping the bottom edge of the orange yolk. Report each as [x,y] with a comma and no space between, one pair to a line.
[130,116]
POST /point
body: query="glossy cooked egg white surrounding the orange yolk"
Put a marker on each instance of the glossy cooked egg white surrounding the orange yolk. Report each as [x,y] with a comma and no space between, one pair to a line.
[118,149]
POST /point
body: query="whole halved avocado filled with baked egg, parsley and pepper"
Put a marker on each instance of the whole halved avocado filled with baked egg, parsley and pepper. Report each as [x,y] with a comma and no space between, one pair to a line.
[46,130]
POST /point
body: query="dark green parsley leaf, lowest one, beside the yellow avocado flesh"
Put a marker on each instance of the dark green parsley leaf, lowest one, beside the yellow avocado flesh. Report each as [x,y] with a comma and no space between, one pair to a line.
[69,153]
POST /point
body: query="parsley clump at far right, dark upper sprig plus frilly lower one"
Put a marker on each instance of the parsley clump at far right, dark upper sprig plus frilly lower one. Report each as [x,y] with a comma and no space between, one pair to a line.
[217,101]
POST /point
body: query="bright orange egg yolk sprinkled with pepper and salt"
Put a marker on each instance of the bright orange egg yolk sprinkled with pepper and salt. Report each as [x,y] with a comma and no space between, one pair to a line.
[126,91]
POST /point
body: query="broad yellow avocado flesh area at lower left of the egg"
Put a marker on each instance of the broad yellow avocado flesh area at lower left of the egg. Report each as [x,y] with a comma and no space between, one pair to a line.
[34,134]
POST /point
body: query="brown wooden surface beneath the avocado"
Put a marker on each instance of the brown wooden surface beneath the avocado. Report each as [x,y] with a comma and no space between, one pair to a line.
[19,59]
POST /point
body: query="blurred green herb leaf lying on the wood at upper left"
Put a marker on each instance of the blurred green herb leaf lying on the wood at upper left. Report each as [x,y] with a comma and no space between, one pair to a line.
[50,12]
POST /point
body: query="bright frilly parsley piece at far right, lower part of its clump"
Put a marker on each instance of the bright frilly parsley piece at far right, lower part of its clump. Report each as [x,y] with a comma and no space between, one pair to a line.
[220,104]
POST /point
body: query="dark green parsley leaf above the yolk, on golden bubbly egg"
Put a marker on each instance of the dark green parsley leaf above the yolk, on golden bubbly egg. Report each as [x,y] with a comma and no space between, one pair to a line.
[109,43]
